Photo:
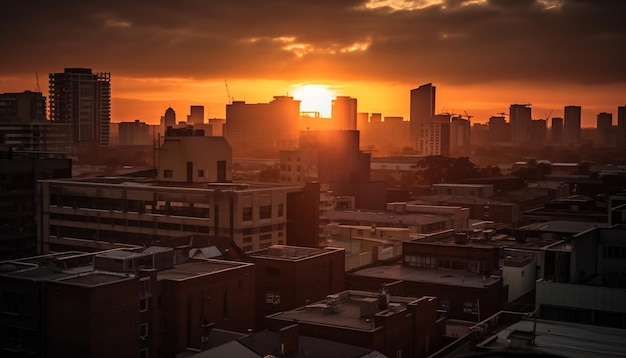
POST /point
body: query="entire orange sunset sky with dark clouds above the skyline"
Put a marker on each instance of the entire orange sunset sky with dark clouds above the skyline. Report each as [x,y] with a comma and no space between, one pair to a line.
[482,55]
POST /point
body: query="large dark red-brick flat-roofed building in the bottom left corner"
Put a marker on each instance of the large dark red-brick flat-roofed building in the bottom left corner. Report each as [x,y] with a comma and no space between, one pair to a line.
[137,302]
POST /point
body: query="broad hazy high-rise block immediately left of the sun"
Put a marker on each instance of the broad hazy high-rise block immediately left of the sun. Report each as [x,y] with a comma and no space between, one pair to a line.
[262,128]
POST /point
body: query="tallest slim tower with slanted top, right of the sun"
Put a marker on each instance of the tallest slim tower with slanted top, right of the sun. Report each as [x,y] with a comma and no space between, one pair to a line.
[422,110]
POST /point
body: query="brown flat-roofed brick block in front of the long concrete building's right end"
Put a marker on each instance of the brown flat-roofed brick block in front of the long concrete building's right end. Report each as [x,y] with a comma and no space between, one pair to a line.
[288,277]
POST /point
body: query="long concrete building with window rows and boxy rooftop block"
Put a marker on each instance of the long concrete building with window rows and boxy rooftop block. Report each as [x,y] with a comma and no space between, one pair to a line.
[190,195]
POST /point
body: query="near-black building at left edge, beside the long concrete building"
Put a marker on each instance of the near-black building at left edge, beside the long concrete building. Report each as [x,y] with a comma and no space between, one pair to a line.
[19,172]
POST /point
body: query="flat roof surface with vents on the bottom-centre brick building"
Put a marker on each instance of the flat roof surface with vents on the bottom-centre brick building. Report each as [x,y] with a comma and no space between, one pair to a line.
[345,312]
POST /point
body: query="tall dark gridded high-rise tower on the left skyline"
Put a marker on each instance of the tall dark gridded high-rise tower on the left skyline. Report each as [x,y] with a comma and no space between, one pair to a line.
[82,98]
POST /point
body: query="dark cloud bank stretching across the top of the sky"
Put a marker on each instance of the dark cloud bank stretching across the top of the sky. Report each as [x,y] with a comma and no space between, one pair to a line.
[457,41]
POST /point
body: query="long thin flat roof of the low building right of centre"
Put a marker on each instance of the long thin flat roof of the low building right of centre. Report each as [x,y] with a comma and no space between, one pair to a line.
[426,275]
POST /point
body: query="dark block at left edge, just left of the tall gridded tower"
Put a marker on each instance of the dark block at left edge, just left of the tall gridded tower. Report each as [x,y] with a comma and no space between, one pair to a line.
[24,107]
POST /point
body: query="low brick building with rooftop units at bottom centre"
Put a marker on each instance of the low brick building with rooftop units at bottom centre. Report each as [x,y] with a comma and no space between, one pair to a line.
[395,326]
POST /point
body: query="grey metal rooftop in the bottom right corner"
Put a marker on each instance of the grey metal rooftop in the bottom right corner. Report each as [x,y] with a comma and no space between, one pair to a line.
[568,339]
